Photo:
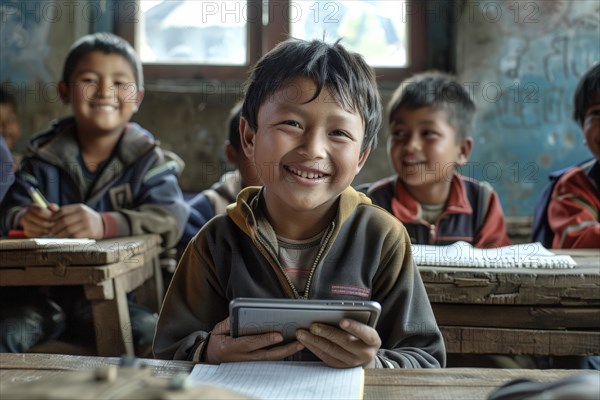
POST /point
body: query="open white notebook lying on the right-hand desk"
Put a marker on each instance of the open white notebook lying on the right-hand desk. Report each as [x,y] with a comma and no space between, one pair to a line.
[463,254]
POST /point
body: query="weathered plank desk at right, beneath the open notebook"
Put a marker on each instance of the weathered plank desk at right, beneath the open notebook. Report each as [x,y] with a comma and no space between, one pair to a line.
[518,310]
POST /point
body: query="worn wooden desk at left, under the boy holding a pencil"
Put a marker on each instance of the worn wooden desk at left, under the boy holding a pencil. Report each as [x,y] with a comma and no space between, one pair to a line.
[107,270]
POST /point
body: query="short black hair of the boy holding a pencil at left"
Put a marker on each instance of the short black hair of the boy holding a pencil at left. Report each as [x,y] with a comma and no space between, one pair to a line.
[108,44]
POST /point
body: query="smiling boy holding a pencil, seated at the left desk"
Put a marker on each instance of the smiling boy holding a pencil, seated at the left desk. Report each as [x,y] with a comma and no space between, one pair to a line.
[103,177]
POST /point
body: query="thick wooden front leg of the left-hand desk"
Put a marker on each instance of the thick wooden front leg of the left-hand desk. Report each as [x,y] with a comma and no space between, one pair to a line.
[111,318]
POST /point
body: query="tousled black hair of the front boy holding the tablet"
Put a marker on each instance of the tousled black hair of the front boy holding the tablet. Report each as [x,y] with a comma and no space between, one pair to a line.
[346,74]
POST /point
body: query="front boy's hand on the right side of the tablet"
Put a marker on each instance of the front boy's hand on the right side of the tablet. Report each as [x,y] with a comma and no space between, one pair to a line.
[352,345]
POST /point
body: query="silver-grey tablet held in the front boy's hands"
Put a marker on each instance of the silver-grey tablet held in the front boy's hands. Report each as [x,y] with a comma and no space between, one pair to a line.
[251,316]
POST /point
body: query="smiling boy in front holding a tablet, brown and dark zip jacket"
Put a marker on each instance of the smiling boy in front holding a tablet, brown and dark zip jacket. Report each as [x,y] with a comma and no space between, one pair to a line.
[309,120]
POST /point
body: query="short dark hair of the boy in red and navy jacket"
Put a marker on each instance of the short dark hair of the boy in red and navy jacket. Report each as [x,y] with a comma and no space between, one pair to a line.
[439,91]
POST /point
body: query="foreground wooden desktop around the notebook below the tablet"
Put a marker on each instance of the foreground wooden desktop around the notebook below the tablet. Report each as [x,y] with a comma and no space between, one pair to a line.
[430,384]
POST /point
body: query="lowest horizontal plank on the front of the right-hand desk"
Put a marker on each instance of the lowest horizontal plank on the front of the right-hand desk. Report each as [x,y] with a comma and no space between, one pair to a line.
[475,340]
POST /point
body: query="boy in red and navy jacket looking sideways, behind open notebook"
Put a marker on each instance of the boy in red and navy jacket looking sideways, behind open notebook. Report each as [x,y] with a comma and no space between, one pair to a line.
[430,119]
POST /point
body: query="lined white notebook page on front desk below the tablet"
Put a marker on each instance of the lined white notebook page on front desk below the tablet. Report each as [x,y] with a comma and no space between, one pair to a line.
[282,379]
